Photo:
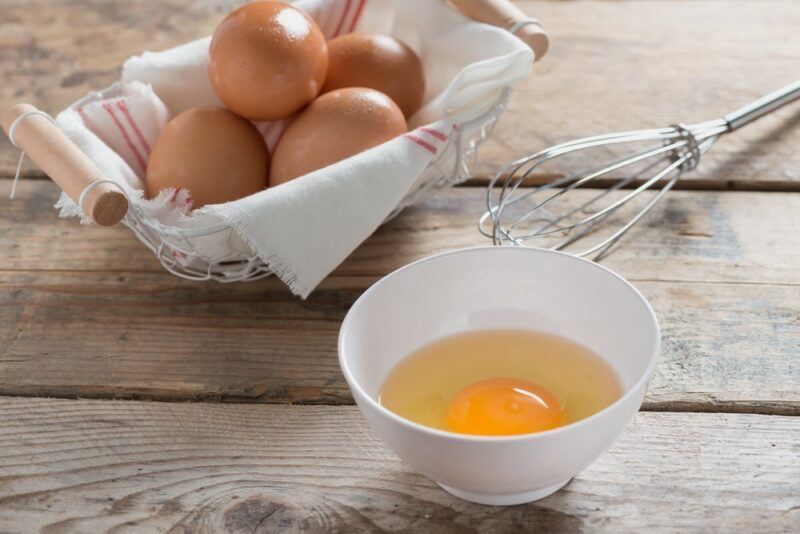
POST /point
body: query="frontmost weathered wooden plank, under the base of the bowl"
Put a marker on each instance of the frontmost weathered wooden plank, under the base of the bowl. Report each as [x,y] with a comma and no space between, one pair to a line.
[92,466]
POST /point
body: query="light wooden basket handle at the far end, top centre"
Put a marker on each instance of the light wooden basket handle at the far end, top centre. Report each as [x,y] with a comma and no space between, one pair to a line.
[506,15]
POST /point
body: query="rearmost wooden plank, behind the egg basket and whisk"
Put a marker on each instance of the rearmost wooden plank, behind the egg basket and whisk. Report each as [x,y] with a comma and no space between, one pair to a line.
[648,64]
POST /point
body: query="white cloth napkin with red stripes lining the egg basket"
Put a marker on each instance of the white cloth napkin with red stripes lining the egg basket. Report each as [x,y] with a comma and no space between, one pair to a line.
[305,228]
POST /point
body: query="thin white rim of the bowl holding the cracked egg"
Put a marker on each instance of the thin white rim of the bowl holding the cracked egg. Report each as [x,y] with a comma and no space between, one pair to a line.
[354,385]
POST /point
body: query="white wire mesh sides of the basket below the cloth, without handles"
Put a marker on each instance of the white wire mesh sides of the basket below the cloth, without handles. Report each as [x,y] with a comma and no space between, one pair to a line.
[181,250]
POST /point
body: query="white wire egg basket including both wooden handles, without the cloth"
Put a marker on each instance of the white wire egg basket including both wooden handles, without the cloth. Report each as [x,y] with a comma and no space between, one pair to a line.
[183,251]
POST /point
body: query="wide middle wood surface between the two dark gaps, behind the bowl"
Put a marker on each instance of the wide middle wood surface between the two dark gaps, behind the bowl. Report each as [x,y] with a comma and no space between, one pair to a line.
[86,311]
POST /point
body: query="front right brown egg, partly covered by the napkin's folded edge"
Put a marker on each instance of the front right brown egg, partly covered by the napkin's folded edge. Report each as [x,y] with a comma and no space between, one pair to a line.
[334,127]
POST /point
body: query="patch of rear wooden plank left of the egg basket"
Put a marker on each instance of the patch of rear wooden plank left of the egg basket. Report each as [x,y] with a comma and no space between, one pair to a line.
[54,52]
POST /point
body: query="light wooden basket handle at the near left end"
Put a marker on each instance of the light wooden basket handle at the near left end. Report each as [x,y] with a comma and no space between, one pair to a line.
[65,163]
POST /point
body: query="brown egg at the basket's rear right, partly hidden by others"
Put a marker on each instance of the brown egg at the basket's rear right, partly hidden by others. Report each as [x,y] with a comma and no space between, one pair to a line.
[379,62]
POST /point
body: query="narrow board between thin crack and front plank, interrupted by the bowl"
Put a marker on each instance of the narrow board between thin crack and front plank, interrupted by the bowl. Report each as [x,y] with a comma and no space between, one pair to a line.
[727,347]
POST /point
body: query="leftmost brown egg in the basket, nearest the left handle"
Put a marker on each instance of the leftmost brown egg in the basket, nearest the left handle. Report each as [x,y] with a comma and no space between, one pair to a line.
[216,155]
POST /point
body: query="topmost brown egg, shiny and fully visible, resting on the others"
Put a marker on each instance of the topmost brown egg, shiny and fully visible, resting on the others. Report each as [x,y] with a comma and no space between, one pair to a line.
[267,60]
